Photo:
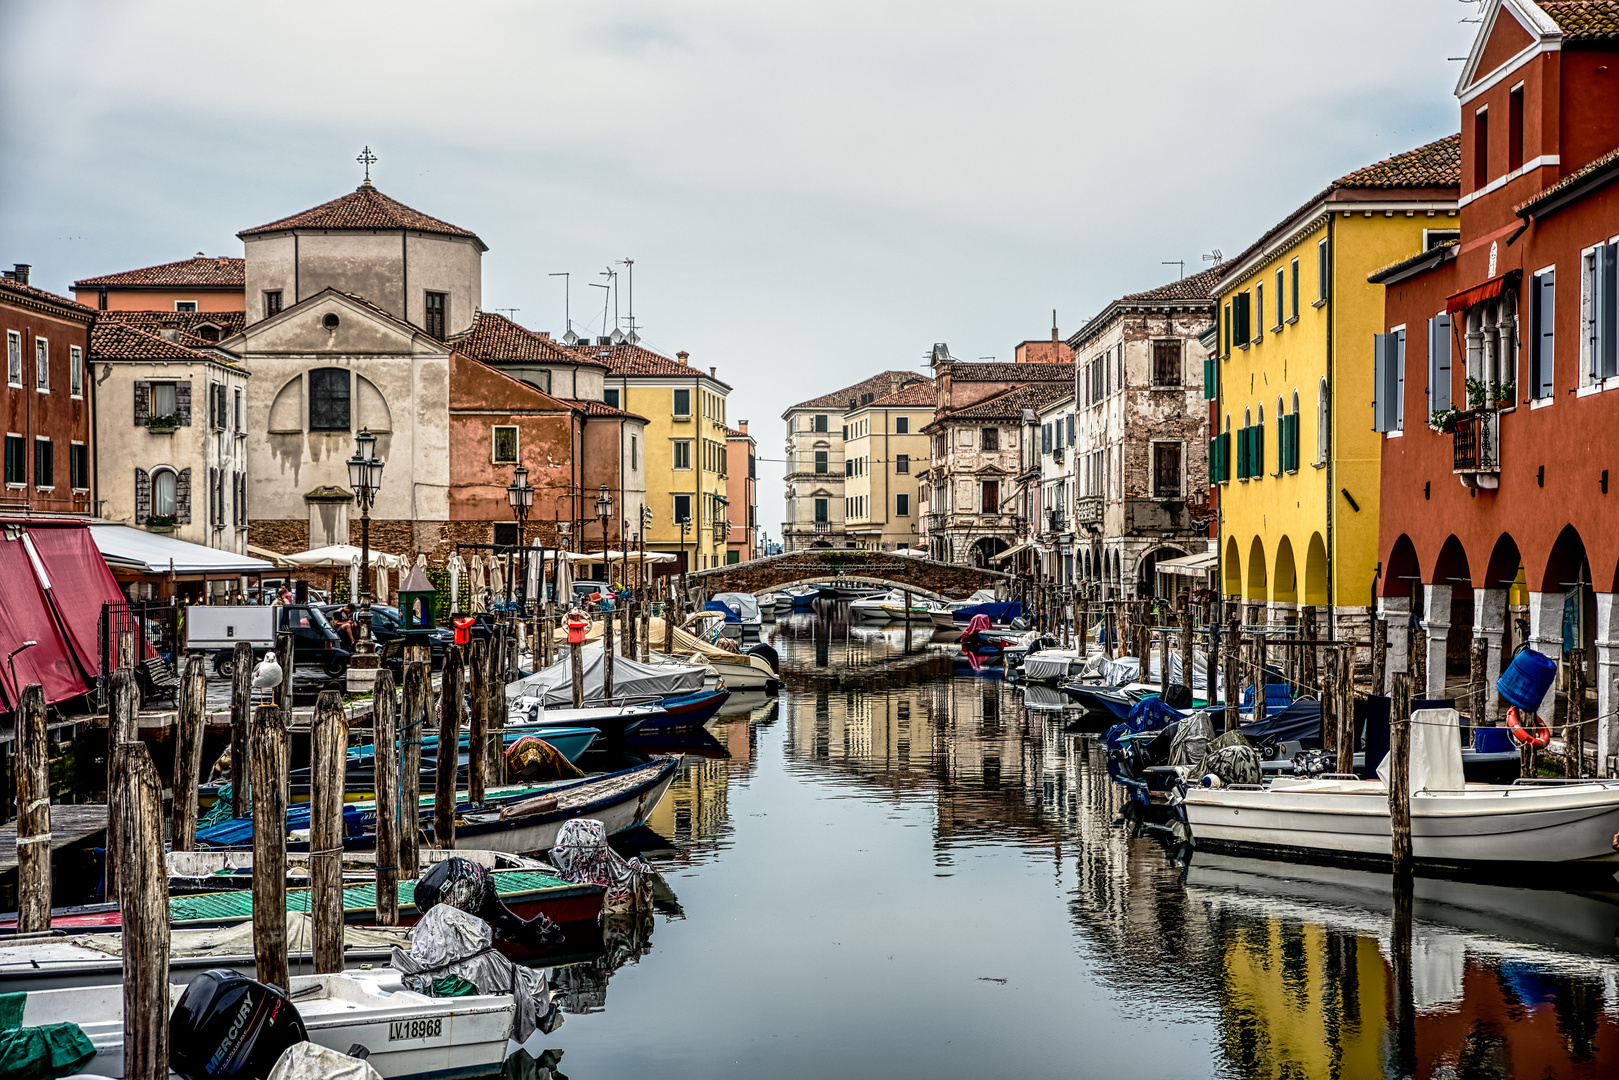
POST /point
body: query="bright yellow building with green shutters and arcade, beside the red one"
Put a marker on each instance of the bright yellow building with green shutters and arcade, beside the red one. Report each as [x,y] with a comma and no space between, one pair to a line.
[1296,457]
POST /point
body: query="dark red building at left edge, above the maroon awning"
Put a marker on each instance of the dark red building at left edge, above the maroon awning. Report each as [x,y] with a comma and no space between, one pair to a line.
[46,401]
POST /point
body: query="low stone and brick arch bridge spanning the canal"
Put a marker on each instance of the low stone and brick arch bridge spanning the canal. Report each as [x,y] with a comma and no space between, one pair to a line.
[924,577]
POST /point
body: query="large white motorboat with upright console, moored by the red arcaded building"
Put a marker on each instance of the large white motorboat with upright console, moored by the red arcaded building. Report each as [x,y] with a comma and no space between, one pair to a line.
[1545,827]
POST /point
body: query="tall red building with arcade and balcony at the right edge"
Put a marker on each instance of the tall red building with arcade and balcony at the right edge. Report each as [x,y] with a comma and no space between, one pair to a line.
[1506,341]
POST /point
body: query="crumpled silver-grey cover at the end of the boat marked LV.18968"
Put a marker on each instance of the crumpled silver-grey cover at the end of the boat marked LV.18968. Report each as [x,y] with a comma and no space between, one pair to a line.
[449,942]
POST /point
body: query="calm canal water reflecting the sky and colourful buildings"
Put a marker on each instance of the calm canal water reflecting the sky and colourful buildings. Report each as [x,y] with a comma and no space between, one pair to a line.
[904,869]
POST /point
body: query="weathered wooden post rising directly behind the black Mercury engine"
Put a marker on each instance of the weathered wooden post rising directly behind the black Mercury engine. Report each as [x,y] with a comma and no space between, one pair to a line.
[268,754]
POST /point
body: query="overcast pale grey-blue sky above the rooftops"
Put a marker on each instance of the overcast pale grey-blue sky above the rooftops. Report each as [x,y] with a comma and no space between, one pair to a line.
[810,192]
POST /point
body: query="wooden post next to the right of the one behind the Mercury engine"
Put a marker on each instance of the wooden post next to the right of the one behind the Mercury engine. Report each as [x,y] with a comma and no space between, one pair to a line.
[329,755]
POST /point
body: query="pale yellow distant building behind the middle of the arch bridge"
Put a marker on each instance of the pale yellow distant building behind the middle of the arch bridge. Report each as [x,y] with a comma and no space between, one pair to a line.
[883,456]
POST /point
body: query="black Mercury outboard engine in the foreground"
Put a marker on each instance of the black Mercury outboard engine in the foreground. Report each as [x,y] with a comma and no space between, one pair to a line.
[229,1027]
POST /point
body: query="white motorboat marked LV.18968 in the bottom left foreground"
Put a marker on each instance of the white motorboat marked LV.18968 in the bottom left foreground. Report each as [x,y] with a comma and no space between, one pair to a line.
[407,1034]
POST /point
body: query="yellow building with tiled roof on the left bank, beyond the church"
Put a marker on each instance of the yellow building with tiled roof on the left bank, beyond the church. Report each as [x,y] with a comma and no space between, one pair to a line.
[686,449]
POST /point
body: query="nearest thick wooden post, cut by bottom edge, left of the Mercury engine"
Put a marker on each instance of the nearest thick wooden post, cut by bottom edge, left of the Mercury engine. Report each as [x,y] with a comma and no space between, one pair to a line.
[143,895]
